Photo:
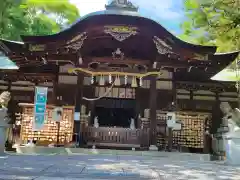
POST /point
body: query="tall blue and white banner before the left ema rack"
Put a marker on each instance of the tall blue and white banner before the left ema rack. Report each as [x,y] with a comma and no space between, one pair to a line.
[40,107]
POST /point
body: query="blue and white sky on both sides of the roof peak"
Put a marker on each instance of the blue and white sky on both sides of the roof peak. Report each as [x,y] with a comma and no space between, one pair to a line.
[169,13]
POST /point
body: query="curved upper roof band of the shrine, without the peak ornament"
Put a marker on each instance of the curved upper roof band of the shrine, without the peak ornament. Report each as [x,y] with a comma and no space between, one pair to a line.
[118,17]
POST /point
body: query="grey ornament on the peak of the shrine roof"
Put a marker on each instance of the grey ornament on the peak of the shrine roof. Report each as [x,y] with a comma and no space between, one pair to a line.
[121,5]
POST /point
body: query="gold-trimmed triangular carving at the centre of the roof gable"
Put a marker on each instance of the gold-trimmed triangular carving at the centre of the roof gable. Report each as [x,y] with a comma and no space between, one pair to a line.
[120,33]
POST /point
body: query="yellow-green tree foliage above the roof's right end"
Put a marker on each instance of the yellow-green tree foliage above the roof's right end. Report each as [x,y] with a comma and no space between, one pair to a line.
[213,22]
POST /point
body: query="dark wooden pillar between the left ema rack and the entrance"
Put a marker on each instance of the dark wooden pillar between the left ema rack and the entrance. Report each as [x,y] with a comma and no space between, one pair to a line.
[79,101]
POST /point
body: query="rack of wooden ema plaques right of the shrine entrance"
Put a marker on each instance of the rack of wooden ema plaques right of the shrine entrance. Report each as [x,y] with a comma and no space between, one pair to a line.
[192,133]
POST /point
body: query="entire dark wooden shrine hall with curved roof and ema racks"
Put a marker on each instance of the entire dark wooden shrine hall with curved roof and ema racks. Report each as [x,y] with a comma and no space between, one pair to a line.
[123,73]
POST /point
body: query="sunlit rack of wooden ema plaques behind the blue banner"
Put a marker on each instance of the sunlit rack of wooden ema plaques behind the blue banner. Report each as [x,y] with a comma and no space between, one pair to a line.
[49,133]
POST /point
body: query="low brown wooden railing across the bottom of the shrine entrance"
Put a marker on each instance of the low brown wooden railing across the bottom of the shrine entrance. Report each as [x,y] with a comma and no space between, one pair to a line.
[116,137]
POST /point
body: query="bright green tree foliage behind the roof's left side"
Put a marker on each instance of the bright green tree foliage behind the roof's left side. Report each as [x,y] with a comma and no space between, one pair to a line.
[35,17]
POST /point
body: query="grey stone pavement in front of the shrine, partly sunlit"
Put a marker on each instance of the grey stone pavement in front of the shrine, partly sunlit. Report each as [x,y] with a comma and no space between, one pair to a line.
[96,167]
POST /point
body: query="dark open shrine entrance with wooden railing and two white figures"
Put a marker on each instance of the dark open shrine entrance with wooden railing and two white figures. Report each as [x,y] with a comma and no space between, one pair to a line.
[115,124]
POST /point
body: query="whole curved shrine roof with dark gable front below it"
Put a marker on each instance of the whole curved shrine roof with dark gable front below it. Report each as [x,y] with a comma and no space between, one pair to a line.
[88,37]
